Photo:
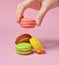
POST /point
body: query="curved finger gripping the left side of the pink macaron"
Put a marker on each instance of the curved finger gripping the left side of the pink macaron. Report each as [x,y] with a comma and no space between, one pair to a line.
[21,8]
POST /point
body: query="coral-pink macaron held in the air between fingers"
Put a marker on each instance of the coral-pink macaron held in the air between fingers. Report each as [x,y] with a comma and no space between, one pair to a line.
[27,23]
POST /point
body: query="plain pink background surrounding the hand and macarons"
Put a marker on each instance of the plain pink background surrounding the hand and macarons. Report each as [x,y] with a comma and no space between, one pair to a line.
[48,34]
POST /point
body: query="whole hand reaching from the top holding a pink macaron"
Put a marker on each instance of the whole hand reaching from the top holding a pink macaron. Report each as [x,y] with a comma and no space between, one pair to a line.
[42,5]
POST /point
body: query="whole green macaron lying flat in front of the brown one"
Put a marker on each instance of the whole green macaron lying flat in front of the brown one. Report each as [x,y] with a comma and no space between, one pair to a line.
[23,48]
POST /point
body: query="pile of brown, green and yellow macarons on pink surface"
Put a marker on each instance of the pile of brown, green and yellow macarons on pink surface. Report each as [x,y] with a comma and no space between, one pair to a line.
[25,43]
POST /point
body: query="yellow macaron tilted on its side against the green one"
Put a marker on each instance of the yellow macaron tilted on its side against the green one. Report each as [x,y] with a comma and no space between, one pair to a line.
[36,44]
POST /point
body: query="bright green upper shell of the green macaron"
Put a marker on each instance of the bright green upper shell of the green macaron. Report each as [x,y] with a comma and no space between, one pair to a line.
[24,46]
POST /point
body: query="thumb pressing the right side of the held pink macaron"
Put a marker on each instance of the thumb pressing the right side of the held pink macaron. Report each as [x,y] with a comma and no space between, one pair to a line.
[44,9]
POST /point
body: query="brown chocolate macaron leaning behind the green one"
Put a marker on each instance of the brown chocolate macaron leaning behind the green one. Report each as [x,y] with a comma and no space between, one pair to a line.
[23,38]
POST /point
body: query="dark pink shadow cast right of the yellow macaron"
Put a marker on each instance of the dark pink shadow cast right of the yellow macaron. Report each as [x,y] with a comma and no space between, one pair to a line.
[50,44]
